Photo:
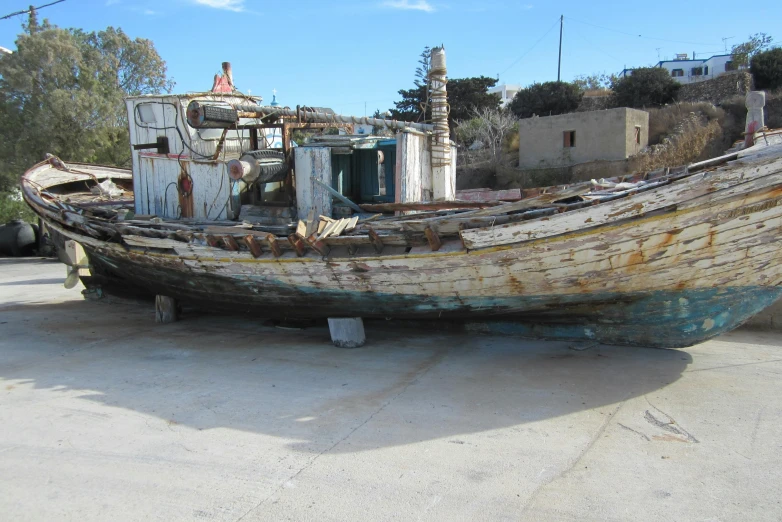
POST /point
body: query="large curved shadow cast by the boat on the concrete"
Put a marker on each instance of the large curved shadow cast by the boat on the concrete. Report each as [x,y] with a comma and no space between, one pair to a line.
[405,386]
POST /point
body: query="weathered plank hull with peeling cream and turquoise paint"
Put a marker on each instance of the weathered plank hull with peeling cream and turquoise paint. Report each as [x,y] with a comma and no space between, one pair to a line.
[671,267]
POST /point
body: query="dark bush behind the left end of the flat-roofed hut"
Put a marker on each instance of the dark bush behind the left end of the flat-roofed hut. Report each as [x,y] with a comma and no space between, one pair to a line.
[546,99]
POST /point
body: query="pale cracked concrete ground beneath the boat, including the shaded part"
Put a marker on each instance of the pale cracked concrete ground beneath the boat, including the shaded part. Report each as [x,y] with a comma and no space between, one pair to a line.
[105,415]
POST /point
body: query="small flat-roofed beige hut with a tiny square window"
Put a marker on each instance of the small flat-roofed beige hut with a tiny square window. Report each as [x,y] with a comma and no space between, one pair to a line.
[568,139]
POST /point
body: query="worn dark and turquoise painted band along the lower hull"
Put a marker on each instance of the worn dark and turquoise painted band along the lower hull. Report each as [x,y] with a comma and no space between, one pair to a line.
[665,319]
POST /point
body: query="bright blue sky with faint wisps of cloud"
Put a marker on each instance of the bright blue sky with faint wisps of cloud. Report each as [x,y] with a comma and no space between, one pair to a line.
[345,53]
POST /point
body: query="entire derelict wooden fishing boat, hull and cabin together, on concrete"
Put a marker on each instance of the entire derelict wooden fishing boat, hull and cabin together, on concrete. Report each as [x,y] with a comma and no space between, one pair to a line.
[666,259]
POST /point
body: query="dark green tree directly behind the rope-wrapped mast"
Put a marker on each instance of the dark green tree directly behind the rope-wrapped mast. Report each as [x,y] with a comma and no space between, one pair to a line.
[464,96]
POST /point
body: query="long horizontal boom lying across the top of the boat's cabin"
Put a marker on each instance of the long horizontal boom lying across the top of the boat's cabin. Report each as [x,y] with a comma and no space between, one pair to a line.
[202,115]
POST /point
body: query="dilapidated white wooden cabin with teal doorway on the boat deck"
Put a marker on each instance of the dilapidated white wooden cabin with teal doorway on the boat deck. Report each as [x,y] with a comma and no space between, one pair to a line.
[218,157]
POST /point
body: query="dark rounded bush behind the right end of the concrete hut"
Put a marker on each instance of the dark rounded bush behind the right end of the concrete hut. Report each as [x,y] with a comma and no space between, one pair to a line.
[645,87]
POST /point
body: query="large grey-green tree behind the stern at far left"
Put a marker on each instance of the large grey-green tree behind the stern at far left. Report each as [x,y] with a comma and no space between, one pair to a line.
[62,92]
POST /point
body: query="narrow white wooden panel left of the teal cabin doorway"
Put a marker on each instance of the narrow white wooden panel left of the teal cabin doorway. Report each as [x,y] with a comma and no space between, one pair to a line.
[312,163]
